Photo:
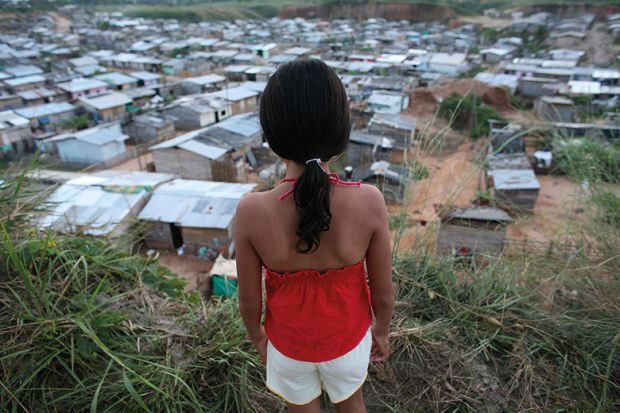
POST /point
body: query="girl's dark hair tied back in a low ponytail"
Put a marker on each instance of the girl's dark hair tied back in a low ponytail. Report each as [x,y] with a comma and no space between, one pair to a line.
[304,114]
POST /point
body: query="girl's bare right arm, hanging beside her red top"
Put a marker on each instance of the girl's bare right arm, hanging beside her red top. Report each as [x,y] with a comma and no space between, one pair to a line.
[379,263]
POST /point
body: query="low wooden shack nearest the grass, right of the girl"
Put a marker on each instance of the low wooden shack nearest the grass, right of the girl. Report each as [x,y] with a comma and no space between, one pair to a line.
[471,231]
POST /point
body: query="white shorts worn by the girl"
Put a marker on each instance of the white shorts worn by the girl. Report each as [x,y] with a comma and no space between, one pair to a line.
[300,382]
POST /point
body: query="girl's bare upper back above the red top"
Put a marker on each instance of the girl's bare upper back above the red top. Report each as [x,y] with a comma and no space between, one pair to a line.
[357,213]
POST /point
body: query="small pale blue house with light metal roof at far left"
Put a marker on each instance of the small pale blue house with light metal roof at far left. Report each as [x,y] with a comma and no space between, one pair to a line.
[101,145]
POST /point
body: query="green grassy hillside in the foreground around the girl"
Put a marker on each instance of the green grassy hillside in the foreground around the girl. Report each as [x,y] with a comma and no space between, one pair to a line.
[90,326]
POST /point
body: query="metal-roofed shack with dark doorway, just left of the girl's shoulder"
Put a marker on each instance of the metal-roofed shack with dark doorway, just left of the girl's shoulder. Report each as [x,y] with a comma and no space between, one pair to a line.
[195,214]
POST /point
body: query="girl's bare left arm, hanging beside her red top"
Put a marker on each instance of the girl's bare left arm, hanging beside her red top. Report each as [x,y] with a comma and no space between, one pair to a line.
[249,272]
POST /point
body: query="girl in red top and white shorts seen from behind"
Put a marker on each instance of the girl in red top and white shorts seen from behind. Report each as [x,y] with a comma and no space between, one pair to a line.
[323,245]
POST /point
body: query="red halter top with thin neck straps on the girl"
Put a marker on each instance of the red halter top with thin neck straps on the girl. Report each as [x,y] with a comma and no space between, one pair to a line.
[317,316]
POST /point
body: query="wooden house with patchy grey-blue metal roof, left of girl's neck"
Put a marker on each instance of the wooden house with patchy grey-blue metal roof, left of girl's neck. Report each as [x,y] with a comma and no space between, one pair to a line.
[221,152]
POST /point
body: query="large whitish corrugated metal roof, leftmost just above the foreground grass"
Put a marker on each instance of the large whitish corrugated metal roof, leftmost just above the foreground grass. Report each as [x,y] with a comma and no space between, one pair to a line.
[103,203]
